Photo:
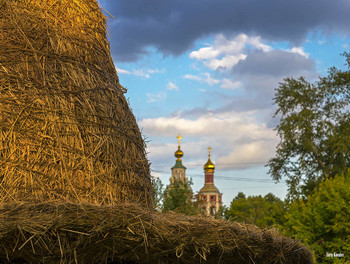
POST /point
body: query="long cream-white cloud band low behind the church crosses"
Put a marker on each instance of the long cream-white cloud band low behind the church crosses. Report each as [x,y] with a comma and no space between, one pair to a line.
[236,138]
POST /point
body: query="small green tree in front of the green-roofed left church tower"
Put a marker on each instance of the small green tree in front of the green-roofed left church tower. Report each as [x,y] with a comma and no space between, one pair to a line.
[178,198]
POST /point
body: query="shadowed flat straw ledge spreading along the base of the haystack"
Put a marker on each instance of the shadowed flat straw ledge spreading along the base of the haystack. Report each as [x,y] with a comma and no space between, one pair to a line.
[126,233]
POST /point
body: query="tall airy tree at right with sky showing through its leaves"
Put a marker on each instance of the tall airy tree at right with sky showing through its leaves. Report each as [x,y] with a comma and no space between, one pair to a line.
[314,131]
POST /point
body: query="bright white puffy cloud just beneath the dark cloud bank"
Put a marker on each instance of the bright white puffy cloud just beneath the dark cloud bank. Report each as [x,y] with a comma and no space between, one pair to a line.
[225,53]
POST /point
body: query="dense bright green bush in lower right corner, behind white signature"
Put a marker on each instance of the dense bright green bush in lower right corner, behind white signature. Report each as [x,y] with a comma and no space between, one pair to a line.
[323,221]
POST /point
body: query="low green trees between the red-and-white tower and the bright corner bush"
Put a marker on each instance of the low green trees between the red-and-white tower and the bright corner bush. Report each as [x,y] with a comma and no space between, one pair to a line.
[262,211]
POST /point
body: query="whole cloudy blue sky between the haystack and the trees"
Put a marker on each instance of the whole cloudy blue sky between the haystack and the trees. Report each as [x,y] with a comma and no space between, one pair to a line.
[209,69]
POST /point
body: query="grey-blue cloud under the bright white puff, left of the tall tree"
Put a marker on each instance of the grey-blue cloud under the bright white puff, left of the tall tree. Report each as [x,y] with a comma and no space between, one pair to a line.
[261,72]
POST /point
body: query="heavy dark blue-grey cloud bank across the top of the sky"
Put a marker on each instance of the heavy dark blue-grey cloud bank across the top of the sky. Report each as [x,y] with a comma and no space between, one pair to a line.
[172,26]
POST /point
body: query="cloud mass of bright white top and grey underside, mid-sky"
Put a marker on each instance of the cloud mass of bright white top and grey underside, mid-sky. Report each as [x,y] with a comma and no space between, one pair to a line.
[256,75]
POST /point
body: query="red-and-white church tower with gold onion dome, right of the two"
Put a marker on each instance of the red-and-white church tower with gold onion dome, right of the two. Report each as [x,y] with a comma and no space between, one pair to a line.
[209,197]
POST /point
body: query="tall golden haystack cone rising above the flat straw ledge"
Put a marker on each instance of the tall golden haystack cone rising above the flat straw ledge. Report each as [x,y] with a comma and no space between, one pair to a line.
[66,130]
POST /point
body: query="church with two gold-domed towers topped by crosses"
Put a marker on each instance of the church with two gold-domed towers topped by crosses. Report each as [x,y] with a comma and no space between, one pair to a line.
[209,198]
